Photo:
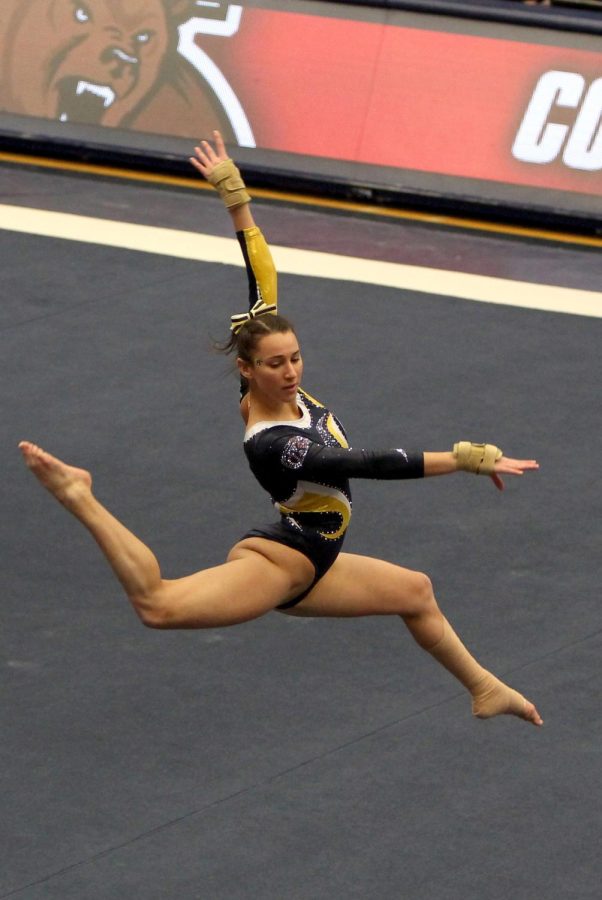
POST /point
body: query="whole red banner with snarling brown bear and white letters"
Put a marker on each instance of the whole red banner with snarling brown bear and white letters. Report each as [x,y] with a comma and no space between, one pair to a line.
[500,108]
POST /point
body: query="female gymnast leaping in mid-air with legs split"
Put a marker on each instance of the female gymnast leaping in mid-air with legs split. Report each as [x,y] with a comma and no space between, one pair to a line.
[299,453]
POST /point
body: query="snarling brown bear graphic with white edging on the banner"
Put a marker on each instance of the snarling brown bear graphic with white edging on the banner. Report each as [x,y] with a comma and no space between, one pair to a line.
[130,64]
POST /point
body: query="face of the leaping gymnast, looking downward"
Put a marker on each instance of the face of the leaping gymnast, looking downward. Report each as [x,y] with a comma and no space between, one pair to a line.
[276,368]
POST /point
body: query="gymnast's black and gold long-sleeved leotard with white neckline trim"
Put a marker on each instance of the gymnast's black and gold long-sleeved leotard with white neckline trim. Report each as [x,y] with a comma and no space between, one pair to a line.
[305,465]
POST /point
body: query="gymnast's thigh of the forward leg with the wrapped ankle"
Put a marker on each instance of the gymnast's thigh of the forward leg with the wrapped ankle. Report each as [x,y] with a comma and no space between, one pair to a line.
[363,586]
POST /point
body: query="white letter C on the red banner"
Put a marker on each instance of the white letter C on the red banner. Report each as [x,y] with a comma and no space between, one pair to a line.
[538,140]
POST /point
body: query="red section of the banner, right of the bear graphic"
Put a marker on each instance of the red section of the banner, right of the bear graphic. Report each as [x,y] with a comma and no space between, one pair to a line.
[414,99]
